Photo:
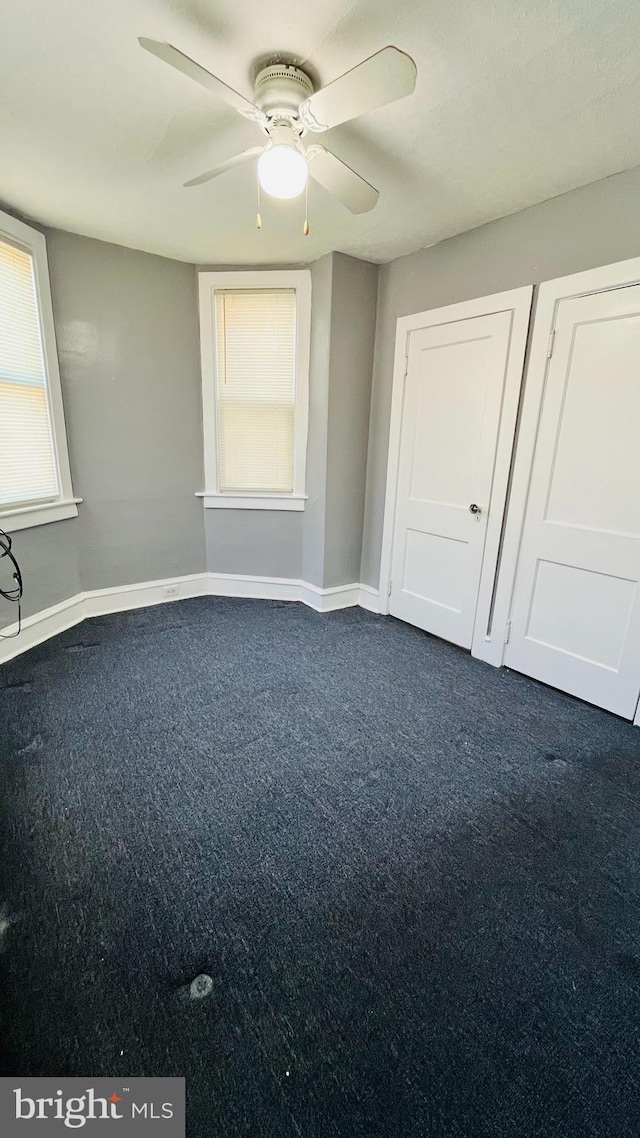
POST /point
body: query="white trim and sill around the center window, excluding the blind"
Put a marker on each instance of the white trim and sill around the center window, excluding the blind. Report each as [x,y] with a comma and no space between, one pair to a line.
[208,284]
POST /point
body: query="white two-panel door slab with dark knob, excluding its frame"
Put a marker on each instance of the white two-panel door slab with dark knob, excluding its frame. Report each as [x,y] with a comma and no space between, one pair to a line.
[452,411]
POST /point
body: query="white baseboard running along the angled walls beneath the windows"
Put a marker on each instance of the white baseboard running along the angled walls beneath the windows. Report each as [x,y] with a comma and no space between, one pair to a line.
[99,603]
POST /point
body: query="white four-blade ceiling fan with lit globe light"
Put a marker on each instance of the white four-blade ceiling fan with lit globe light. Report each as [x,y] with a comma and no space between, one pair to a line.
[286,109]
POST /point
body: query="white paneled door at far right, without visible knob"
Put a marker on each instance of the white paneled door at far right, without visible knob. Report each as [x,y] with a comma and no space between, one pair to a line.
[576,617]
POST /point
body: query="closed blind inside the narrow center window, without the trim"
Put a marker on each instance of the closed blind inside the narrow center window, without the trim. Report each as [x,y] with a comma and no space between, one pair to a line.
[256,348]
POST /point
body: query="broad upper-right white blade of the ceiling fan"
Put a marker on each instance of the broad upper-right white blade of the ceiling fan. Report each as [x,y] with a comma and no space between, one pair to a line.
[382,79]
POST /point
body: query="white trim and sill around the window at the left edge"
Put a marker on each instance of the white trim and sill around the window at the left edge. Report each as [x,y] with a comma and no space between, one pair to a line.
[65,506]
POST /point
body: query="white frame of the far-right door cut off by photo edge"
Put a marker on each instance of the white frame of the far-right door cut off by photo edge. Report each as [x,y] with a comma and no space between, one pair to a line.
[603,279]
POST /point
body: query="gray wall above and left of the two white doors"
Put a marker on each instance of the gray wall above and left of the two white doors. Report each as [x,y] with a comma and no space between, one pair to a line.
[595,226]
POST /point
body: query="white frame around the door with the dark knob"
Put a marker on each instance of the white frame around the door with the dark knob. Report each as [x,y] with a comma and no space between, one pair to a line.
[519,302]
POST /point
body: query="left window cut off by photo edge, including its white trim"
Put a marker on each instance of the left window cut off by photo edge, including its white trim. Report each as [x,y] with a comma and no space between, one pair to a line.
[35,475]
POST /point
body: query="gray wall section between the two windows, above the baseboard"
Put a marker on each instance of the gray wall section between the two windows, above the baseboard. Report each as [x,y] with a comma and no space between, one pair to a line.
[128,344]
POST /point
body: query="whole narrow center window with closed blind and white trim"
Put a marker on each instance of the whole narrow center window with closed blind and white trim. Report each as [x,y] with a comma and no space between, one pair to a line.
[256,334]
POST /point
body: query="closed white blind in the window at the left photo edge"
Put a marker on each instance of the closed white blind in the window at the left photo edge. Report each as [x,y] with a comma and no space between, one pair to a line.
[28,463]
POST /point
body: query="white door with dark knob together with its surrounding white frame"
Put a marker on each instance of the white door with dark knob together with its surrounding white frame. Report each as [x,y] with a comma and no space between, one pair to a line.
[457,381]
